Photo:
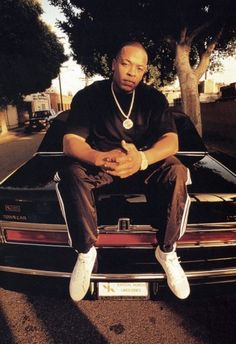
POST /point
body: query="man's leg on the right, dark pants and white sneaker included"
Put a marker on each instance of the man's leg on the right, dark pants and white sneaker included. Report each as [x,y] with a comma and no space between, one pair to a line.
[169,201]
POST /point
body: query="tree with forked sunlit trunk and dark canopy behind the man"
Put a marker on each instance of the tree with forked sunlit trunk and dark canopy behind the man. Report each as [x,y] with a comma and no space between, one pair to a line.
[181,37]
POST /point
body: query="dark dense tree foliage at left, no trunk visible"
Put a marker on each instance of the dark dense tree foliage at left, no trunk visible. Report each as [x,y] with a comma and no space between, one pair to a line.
[31,54]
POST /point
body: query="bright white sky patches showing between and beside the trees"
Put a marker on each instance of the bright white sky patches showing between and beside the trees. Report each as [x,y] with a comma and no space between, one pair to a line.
[72,77]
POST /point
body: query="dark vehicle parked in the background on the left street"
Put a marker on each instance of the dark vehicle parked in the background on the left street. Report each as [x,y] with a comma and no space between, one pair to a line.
[40,120]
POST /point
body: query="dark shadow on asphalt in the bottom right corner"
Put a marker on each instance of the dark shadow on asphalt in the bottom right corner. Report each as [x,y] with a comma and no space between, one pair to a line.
[209,313]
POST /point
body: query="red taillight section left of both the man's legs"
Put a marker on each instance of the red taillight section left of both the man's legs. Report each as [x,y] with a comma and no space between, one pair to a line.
[36,237]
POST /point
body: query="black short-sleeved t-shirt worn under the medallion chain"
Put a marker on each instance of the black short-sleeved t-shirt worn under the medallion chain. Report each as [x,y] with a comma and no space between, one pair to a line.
[95,116]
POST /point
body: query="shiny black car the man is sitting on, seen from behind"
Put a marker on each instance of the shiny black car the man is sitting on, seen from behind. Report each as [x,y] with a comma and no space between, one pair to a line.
[34,239]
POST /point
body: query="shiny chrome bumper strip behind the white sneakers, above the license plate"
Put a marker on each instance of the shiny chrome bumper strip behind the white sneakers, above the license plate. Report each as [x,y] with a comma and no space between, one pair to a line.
[122,277]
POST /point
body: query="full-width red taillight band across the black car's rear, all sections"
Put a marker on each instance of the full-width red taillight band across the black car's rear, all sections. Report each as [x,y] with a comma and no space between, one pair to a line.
[120,239]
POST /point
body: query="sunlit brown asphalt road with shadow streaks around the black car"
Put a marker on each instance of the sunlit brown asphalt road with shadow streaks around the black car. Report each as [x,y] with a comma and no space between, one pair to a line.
[38,310]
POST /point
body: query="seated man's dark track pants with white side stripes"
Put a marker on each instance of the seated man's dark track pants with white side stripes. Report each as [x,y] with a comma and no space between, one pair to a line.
[166,193]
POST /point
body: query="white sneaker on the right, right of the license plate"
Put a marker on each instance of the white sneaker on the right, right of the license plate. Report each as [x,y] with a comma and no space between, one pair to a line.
[176,278]
